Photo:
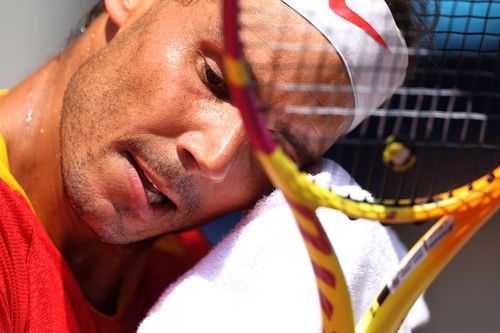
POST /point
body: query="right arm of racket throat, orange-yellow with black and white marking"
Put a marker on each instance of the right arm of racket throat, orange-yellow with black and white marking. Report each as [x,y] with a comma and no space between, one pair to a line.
[424,262]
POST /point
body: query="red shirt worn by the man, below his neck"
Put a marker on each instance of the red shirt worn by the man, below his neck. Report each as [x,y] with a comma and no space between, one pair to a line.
[38,292]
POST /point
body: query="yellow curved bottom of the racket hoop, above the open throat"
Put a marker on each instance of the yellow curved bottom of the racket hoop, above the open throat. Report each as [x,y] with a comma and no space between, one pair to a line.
[298,187]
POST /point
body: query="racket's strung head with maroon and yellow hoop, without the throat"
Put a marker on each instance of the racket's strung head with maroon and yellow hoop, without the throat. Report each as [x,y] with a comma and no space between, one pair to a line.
[411,153]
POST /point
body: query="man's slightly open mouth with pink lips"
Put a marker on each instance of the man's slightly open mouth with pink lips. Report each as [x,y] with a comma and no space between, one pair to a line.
[147,197]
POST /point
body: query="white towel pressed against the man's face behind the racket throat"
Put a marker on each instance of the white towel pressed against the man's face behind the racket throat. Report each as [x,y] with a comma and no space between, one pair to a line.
[259,278]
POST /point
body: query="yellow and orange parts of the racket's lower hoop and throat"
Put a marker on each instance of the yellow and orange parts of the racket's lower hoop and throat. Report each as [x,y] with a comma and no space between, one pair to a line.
[468,209]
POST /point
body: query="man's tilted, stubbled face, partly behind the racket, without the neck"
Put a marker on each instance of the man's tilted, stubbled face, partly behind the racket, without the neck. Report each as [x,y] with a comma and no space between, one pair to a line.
[151,143]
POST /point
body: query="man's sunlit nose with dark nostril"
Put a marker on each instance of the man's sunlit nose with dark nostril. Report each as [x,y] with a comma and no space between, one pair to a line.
[212,150]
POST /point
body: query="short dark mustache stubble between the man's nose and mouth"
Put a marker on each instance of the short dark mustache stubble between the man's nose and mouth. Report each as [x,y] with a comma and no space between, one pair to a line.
[167,166]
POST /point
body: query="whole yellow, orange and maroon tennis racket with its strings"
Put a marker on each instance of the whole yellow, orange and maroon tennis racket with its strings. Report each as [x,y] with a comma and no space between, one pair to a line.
[429,152]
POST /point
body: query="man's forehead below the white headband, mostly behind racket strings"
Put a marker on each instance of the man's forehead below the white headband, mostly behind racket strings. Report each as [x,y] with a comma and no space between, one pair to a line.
[281,48]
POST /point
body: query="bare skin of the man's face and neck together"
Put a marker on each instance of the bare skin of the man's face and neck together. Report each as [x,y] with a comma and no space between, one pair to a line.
[138,100]
